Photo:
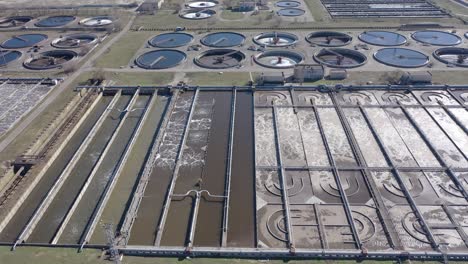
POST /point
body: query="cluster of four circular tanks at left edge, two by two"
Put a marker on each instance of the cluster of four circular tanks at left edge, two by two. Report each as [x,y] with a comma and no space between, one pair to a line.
[48,59]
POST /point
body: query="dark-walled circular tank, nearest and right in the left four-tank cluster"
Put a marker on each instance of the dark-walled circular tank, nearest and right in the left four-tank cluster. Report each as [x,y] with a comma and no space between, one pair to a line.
[50,59]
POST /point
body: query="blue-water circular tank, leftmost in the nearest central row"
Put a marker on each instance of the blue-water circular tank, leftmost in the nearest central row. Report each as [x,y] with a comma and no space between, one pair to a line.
[160,59]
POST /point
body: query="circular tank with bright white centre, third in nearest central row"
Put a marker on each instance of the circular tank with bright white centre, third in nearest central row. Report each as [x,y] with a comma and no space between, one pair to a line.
[279,59]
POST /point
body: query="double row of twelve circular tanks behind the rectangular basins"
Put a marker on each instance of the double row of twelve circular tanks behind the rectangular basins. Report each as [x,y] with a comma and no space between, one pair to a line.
[221,57]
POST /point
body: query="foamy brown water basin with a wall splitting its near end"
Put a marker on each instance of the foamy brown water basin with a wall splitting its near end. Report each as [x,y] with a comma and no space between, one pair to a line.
[203,168]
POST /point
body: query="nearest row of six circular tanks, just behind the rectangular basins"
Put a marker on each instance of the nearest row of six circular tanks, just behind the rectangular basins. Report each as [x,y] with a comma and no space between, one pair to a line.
[281,59]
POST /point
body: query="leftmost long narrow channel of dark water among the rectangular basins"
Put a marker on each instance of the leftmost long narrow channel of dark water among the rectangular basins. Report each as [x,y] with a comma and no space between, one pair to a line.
[20,219]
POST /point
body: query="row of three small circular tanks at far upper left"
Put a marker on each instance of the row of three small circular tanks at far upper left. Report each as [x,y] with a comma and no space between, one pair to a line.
[55,21]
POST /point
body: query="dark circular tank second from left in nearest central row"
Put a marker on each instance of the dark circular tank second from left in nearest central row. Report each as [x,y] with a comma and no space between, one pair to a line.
[220,59]
